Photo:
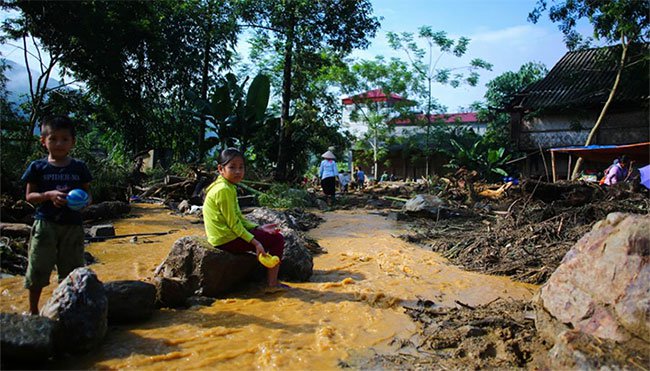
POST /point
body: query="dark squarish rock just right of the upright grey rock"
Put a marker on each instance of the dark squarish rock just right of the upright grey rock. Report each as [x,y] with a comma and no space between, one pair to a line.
[129,301]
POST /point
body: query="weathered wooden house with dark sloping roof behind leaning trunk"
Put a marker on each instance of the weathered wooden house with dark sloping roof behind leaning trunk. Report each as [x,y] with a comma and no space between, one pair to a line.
[561,109]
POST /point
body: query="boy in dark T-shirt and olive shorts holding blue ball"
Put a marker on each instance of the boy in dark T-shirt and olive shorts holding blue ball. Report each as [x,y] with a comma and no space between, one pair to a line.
[57,236]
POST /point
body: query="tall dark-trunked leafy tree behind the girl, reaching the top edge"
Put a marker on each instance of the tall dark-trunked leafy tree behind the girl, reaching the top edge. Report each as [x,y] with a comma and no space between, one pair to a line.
[305,27]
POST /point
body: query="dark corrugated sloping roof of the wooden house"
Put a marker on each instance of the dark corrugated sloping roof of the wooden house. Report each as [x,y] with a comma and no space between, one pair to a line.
[585,77]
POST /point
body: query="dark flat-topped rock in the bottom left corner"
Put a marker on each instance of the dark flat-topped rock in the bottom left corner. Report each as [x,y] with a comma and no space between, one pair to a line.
[26,338]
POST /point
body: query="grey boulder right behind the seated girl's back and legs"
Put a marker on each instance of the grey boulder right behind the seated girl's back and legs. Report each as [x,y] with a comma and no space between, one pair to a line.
[297,260]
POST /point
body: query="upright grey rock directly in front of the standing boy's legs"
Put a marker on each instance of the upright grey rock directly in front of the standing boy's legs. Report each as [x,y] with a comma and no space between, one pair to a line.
[80,307]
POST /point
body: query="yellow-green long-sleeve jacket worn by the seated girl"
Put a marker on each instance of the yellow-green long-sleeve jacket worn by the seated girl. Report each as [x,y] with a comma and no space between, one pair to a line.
[222,217]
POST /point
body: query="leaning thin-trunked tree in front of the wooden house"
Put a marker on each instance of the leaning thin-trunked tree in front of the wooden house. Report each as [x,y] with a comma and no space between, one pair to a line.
[614,21]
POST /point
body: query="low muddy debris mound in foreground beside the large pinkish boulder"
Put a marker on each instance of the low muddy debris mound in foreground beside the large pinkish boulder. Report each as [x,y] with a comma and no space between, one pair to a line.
[497,335]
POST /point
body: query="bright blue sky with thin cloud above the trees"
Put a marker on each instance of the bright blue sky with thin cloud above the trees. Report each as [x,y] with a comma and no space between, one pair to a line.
[499,31]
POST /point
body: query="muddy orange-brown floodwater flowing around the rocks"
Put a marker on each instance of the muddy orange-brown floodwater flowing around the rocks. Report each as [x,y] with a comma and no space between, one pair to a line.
[352,307]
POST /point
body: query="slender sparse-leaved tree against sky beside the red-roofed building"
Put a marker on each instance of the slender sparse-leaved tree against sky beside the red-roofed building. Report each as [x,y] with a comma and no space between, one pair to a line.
[428,69]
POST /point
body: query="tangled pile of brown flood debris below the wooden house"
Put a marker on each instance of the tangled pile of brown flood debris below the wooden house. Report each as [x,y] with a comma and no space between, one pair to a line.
[526,232]
